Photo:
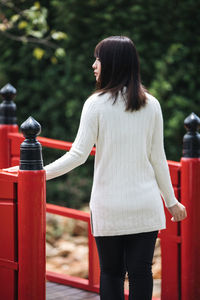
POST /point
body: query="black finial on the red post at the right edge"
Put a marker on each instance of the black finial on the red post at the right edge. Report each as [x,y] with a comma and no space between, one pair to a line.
[191,140]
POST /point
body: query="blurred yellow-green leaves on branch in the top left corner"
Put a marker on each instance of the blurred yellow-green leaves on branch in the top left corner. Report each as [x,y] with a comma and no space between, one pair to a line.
[29,25]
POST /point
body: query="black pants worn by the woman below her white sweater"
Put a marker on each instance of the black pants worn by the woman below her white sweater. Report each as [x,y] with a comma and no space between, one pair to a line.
[132,253]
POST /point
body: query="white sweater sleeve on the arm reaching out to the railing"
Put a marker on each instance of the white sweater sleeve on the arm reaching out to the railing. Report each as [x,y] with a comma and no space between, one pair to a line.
[82,146]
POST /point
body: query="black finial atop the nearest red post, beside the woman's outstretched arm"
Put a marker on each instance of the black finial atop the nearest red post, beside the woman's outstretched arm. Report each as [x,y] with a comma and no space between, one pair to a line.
[30,149]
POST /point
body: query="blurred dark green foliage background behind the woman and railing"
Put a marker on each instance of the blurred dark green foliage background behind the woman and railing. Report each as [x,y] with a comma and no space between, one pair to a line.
[46,53]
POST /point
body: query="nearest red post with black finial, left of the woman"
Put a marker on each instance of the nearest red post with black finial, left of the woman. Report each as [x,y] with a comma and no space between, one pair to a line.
[31,217]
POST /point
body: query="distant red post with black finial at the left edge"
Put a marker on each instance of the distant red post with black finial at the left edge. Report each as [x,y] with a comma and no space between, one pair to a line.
[7,123]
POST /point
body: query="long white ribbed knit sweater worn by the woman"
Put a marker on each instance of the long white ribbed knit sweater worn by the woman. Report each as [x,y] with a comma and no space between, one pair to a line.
[130,168]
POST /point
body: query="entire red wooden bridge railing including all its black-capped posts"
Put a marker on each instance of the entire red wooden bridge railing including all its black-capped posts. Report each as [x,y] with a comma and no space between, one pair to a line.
[22,218]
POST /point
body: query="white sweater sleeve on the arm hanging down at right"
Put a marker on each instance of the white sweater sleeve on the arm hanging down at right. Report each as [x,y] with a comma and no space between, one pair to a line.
[159,161]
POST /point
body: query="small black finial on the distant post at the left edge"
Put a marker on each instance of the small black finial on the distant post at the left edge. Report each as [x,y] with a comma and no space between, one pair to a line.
[8,107]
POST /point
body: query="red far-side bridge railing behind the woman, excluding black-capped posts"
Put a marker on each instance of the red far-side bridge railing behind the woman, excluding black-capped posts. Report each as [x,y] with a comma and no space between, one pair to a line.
[169,238]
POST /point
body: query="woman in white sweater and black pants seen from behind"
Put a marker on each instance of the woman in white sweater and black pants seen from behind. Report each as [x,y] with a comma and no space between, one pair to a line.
[125,123]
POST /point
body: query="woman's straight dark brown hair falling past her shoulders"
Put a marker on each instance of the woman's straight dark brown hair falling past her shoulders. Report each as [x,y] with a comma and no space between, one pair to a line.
[120,68]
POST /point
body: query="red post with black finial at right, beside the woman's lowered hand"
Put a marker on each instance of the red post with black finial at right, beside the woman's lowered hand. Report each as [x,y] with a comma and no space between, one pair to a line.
[190,197]
